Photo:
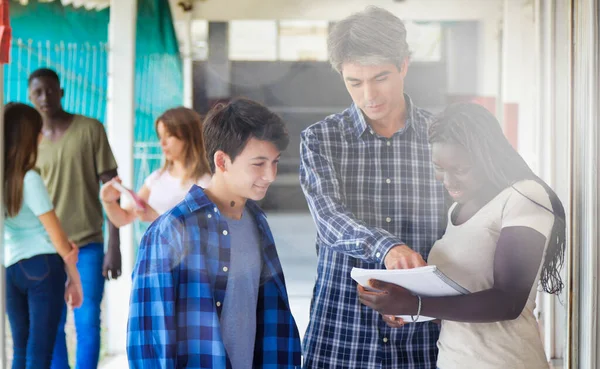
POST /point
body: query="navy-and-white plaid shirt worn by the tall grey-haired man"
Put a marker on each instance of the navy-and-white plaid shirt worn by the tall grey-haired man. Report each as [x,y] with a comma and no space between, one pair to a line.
[367,193]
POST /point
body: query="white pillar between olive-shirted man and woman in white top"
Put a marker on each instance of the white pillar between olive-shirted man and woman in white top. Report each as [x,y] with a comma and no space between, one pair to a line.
[120,123]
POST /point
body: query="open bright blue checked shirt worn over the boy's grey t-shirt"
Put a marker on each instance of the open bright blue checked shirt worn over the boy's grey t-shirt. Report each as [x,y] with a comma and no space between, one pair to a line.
[178,290]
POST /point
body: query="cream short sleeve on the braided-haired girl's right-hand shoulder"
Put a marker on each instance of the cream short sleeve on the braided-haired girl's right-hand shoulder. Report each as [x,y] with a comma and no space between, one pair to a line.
[528,206]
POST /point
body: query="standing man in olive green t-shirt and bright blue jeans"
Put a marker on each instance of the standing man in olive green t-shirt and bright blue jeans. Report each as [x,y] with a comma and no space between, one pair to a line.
[74,157]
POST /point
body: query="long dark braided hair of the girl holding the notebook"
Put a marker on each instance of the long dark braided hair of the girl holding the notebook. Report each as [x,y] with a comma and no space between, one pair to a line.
[475,129]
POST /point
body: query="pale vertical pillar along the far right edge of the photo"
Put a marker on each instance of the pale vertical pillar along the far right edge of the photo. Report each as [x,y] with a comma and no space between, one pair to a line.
[583,254]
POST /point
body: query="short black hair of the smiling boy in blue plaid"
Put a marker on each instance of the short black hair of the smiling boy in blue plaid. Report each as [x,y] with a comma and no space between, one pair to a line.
[228,127]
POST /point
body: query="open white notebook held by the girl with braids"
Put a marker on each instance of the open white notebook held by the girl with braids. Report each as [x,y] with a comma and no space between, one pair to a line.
[425,281]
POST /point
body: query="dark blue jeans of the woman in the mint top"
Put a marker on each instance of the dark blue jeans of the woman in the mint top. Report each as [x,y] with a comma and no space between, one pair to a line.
[35,291]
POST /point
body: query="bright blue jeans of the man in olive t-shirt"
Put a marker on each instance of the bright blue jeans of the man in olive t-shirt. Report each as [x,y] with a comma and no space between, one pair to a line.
[87,317]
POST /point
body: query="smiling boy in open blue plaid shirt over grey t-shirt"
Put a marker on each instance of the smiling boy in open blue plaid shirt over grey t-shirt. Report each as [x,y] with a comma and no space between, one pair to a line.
[208,288]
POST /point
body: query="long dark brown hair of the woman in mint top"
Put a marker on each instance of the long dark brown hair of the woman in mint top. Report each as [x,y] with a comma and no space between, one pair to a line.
[22,127]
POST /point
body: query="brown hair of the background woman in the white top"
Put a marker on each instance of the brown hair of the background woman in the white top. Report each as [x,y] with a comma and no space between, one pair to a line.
[186,125]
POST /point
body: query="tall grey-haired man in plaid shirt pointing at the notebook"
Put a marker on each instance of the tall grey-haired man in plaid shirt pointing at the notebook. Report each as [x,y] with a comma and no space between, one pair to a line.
[370,186]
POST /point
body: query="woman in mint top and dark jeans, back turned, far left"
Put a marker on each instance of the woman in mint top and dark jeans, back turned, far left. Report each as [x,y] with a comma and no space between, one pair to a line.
[36,249]
